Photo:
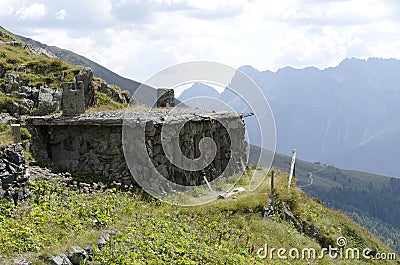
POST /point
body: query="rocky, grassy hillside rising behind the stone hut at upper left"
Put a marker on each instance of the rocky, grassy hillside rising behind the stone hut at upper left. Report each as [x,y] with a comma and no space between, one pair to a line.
[31,81]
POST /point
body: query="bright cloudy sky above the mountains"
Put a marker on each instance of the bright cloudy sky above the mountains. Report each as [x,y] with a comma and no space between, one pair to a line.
[136,38]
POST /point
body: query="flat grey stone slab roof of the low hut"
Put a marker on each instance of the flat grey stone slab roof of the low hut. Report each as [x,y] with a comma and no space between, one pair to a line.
[116,118]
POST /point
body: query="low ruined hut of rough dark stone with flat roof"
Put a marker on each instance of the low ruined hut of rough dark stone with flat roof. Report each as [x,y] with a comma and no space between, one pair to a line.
[92,144]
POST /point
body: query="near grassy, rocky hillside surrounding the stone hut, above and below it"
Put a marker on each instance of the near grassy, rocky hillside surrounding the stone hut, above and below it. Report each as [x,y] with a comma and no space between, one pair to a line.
[43,214]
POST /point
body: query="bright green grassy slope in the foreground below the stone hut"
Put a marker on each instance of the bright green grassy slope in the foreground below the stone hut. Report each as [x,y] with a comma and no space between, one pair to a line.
[223,232]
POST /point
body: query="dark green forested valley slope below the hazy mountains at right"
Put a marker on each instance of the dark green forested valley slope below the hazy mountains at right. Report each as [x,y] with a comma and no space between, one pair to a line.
[369,199]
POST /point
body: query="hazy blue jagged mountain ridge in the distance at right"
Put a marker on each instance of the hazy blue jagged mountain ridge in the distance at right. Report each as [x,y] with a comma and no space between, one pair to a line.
[344,115]
